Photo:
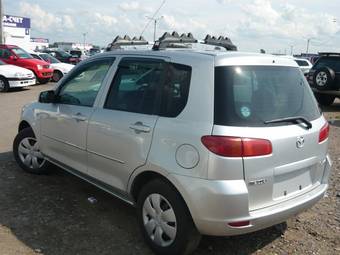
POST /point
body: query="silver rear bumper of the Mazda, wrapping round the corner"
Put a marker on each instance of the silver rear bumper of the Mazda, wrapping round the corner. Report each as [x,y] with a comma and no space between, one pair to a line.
[214,204]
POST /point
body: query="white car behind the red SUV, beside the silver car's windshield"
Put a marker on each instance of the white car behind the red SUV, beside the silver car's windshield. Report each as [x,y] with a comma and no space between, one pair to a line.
[60,69]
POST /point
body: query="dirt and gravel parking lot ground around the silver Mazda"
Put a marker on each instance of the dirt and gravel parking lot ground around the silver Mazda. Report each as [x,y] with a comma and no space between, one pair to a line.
[52,214]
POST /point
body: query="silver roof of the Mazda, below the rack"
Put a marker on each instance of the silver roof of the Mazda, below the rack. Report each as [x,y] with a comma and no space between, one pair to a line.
[218,56]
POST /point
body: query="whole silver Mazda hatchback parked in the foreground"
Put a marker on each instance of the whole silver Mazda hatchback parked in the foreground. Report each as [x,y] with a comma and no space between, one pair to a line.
[201,142]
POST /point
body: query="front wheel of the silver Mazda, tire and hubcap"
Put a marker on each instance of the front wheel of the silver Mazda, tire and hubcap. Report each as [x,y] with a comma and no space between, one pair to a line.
[27,153]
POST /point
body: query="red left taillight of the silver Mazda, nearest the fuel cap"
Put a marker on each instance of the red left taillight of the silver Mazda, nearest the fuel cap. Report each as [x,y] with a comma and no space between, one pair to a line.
[228,146]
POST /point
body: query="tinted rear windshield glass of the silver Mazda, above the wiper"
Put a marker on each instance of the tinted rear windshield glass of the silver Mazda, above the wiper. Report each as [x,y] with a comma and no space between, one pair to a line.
[251,95]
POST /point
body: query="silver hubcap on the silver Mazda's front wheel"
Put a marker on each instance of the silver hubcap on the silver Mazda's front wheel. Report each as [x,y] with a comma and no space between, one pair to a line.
[30,154]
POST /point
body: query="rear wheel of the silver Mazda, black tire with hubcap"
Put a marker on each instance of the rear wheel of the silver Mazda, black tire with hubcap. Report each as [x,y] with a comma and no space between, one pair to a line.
[165,220]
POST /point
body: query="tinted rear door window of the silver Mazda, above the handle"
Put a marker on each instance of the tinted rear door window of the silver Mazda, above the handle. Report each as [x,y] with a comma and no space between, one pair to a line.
[136,86]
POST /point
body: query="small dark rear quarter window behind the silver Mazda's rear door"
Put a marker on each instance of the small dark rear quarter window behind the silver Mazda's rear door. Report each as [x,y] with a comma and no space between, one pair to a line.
[176,89]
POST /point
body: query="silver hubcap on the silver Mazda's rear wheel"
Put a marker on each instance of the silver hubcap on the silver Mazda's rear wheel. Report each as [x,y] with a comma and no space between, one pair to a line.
[159,220]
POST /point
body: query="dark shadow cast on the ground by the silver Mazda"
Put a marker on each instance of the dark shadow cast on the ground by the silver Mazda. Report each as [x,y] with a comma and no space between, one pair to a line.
[53,213]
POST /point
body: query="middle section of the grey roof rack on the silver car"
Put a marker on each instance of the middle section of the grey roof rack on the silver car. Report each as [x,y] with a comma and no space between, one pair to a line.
[173,40]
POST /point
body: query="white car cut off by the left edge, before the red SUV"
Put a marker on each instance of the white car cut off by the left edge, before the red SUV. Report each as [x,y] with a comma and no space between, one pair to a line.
[14,77]
